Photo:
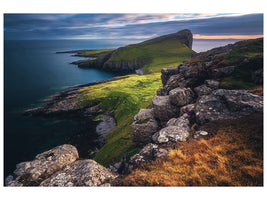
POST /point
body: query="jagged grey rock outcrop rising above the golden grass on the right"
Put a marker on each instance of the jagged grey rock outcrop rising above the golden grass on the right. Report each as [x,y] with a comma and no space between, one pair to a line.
[191,96]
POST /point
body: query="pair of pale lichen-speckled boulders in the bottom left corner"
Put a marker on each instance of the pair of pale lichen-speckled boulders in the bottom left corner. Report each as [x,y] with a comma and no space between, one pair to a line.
[59,167]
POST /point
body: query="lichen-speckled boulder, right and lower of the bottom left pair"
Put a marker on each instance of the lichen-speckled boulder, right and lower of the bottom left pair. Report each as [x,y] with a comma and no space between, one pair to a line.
[80,173]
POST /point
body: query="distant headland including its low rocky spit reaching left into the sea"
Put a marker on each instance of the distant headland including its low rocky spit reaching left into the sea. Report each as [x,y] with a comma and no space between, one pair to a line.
[137,56]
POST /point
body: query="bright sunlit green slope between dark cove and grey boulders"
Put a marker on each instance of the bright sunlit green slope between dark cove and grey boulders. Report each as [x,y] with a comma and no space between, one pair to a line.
[124,97]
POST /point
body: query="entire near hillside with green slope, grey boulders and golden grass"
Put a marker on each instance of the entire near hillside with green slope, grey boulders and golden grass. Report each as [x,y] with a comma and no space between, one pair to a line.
[198,100]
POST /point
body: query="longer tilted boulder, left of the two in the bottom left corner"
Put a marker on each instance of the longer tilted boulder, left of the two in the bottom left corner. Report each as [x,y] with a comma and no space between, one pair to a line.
[44,165]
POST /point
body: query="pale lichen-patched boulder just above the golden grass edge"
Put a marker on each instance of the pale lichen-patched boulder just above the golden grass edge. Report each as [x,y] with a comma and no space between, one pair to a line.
[173,134]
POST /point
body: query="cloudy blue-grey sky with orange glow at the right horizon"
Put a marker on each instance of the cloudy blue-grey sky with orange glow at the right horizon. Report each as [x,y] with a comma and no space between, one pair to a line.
[131,26]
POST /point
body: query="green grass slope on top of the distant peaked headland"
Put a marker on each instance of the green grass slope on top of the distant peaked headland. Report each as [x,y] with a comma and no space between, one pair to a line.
[162,52]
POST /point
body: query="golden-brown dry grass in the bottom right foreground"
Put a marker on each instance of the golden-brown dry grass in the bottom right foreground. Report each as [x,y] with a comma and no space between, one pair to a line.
[233,156]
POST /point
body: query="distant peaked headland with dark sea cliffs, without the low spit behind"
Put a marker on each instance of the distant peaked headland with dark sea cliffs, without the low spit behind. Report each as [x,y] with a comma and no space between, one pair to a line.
[168,49]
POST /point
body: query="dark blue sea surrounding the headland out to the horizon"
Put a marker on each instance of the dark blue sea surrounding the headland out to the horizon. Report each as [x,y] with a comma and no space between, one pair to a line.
[33,72]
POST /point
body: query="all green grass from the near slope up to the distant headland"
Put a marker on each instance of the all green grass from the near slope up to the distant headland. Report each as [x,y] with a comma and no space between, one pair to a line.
[125,97]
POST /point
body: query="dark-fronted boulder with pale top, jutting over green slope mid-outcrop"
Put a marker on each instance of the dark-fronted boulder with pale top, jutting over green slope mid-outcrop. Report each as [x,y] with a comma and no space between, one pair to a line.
[163,110]
